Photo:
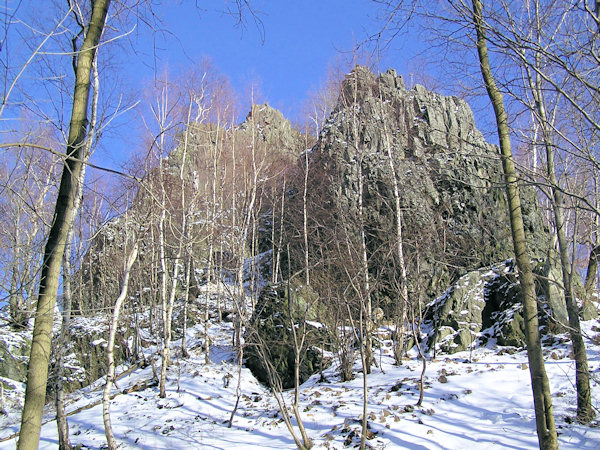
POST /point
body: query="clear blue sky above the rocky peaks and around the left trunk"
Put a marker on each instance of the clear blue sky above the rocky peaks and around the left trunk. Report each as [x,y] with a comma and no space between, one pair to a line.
[287,56]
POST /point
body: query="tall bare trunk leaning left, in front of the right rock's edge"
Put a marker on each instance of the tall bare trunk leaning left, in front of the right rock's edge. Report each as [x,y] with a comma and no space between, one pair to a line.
[546,429]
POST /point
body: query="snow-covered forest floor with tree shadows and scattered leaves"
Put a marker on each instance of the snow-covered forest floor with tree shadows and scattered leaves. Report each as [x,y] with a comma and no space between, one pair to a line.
[486,403]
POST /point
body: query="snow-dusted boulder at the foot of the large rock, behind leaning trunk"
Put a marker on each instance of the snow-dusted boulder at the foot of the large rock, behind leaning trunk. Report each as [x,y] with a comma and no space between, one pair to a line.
[485,304]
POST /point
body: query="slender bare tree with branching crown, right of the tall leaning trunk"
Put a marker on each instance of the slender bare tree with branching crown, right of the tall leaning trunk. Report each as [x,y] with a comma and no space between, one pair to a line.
[531,47]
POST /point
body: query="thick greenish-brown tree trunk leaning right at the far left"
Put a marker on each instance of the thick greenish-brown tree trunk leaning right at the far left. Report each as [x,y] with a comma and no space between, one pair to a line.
[37,376]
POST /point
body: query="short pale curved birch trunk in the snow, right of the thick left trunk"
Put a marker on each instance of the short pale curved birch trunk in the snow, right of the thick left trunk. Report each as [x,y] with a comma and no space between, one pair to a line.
[110,376]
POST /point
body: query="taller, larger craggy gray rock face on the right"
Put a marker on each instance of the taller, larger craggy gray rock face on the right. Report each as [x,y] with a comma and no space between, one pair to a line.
[450,180]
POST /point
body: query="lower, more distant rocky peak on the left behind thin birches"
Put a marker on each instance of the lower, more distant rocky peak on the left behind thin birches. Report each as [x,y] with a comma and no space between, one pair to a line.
[265,139]
